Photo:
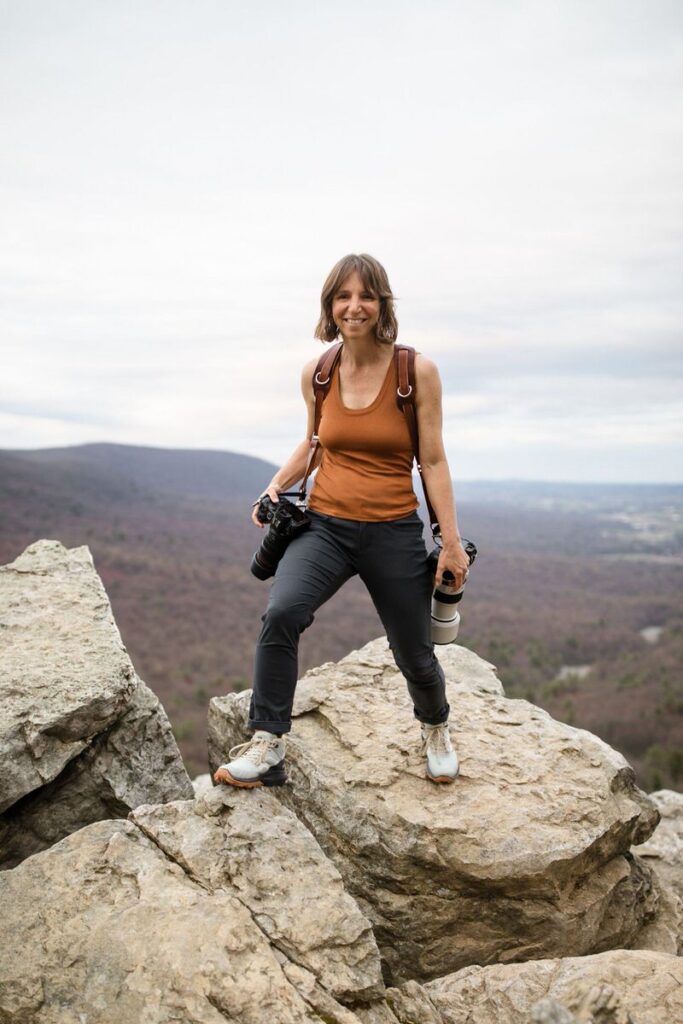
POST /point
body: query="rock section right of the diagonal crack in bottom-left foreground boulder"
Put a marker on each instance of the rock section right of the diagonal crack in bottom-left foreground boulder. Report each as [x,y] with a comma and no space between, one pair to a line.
[246,842]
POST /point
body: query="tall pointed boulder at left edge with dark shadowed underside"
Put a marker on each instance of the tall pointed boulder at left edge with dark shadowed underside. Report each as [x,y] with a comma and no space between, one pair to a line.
[82,739]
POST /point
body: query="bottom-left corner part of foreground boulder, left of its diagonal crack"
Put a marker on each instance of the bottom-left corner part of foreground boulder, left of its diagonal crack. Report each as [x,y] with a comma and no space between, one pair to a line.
[121,933]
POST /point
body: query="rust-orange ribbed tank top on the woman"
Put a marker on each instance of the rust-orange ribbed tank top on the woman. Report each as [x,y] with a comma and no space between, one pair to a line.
[366,473]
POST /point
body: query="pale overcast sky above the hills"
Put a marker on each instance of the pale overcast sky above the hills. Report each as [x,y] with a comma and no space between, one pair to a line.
[179,179]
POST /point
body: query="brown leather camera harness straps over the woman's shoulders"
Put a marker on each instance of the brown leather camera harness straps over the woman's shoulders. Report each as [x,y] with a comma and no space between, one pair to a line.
[406,393]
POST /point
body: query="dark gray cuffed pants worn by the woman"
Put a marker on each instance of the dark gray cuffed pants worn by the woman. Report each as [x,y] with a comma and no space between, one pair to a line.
[391,559]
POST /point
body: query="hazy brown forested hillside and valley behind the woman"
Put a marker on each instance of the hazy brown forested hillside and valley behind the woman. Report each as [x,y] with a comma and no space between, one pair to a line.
[575,596]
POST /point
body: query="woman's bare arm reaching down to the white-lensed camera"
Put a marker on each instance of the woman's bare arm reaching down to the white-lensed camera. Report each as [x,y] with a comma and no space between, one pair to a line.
[436,468]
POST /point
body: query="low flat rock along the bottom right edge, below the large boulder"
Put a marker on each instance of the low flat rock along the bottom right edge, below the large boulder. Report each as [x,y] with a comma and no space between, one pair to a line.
[615,988]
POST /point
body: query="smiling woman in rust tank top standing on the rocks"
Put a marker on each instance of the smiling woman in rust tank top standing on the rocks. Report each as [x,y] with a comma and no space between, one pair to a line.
[364,521]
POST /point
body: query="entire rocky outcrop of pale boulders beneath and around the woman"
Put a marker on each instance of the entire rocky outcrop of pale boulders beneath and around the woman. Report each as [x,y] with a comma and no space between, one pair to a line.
[501,900]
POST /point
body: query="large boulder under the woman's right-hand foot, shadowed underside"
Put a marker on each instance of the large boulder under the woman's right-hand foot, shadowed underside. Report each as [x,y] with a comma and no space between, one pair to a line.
[526,857]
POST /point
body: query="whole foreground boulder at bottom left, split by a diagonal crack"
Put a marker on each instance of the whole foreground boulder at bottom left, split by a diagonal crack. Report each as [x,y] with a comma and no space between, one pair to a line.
[221,909]
